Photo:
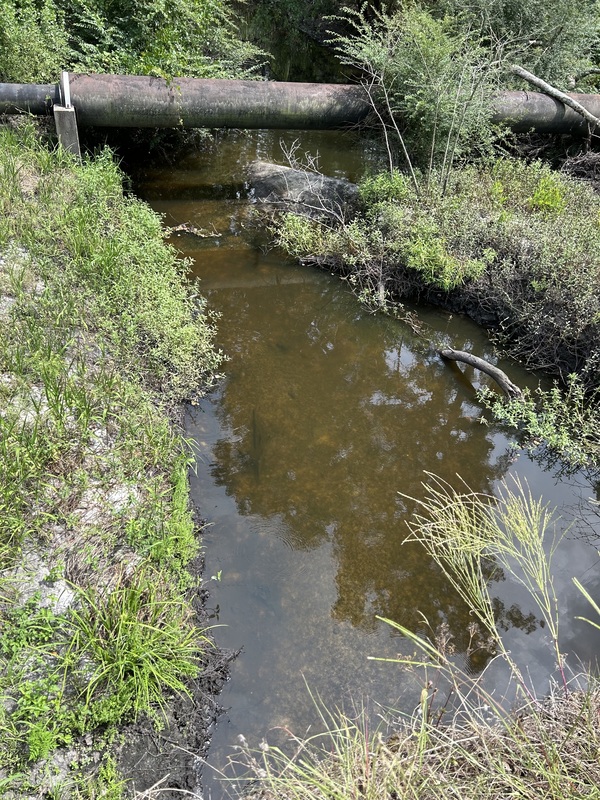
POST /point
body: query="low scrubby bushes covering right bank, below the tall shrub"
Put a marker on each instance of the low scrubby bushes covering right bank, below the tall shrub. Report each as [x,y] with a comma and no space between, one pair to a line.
[514,245]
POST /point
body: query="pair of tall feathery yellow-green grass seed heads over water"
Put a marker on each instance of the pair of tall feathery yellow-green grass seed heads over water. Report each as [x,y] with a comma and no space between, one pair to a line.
[471,537]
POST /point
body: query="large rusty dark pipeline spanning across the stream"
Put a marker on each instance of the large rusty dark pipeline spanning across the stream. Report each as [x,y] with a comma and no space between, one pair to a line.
[126,101]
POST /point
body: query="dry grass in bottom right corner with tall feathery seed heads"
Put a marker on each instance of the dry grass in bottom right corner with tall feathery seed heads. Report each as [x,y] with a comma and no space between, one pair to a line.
[463,740]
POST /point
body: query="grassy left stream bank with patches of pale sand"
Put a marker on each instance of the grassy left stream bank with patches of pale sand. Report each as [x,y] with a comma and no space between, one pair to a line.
[101,339]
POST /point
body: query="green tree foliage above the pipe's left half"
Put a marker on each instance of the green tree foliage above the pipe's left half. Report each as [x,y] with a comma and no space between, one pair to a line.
[195,38]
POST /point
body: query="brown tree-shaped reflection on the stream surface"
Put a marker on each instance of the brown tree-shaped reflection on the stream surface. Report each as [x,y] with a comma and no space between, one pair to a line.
[333,415]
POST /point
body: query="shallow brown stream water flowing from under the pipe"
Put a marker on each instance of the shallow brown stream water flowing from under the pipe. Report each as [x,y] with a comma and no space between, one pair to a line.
[325,414]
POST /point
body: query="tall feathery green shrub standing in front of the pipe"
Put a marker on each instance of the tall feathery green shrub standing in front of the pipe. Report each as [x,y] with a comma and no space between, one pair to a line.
[429,79]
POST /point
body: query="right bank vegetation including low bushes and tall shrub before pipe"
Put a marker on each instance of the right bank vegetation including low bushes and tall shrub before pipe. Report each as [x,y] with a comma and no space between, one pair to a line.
[457,219]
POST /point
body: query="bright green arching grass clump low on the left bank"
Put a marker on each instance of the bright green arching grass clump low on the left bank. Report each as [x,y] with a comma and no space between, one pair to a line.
[133,641]
